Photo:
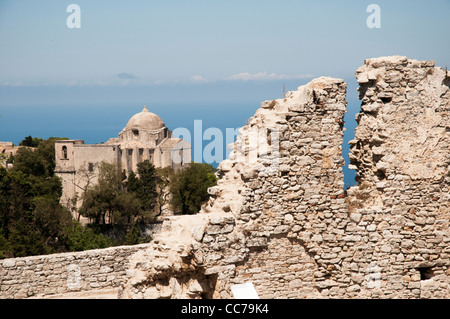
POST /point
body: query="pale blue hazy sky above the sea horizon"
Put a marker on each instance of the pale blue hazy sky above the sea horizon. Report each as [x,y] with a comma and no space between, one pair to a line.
[126,43]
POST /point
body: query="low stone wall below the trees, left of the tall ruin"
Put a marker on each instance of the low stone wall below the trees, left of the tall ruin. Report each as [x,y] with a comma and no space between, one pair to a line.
[91,273]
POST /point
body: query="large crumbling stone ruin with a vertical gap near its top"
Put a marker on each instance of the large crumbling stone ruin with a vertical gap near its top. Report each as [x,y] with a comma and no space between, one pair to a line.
[291,229]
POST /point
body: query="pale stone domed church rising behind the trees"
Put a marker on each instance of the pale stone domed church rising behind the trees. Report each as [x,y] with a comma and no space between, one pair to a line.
[145,137]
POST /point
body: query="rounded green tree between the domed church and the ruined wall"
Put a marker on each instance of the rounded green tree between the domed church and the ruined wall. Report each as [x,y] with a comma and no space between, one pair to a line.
[190,185]
